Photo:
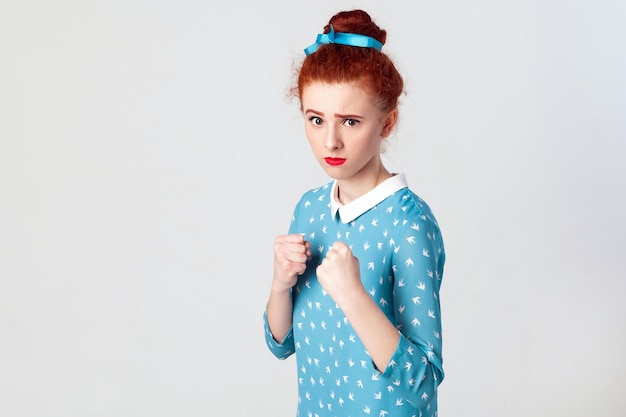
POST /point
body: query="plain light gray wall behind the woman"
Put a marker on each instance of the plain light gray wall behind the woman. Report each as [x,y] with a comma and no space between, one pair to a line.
[148,157]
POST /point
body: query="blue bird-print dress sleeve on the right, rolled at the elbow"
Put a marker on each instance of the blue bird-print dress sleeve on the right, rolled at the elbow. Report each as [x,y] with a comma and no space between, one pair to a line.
[415,369]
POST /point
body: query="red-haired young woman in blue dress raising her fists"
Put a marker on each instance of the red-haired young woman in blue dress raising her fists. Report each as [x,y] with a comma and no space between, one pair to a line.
[355,291]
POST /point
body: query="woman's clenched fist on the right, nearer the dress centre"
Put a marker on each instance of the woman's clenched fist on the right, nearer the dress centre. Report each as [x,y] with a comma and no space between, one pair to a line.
[339,273]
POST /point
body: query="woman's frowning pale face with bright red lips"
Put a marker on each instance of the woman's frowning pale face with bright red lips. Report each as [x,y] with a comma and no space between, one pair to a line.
[345,128]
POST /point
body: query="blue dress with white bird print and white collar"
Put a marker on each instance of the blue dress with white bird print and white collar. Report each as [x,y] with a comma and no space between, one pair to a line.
[397,240]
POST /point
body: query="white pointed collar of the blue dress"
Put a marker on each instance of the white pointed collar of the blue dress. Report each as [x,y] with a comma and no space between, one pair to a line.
[355,208]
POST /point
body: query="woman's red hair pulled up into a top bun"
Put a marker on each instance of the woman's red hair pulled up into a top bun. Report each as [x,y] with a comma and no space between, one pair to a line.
[334,63]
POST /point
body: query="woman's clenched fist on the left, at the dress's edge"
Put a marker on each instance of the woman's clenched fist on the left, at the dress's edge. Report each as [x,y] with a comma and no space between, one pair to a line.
[290,255]
